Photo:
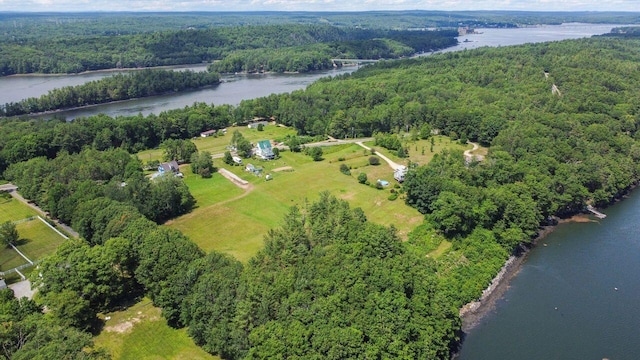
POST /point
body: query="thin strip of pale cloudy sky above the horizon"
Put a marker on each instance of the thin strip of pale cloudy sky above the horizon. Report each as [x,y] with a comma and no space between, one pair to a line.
[317,5]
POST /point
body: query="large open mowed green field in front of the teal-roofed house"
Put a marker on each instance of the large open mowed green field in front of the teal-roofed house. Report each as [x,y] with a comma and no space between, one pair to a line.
[238,224]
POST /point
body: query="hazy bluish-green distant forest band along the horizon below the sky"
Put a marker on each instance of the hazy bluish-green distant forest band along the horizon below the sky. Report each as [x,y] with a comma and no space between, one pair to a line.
[29,26]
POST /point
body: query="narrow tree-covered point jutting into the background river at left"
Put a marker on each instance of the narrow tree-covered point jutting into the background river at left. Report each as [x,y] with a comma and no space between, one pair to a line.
[137,84]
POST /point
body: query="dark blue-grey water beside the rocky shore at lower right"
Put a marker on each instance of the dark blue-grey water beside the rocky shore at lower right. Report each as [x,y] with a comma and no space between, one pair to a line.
[575,298]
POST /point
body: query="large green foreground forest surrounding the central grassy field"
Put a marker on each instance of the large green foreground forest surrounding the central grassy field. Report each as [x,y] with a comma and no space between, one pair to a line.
[561,120]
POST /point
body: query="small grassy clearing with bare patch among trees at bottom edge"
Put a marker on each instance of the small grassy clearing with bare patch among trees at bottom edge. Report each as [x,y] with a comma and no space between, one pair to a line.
[141,333]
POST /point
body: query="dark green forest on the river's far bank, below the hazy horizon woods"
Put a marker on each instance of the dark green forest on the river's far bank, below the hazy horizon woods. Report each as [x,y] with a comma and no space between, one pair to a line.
[191,46]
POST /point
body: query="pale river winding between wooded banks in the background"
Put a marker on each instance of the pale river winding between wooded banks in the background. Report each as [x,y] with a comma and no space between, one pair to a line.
[236,88]
